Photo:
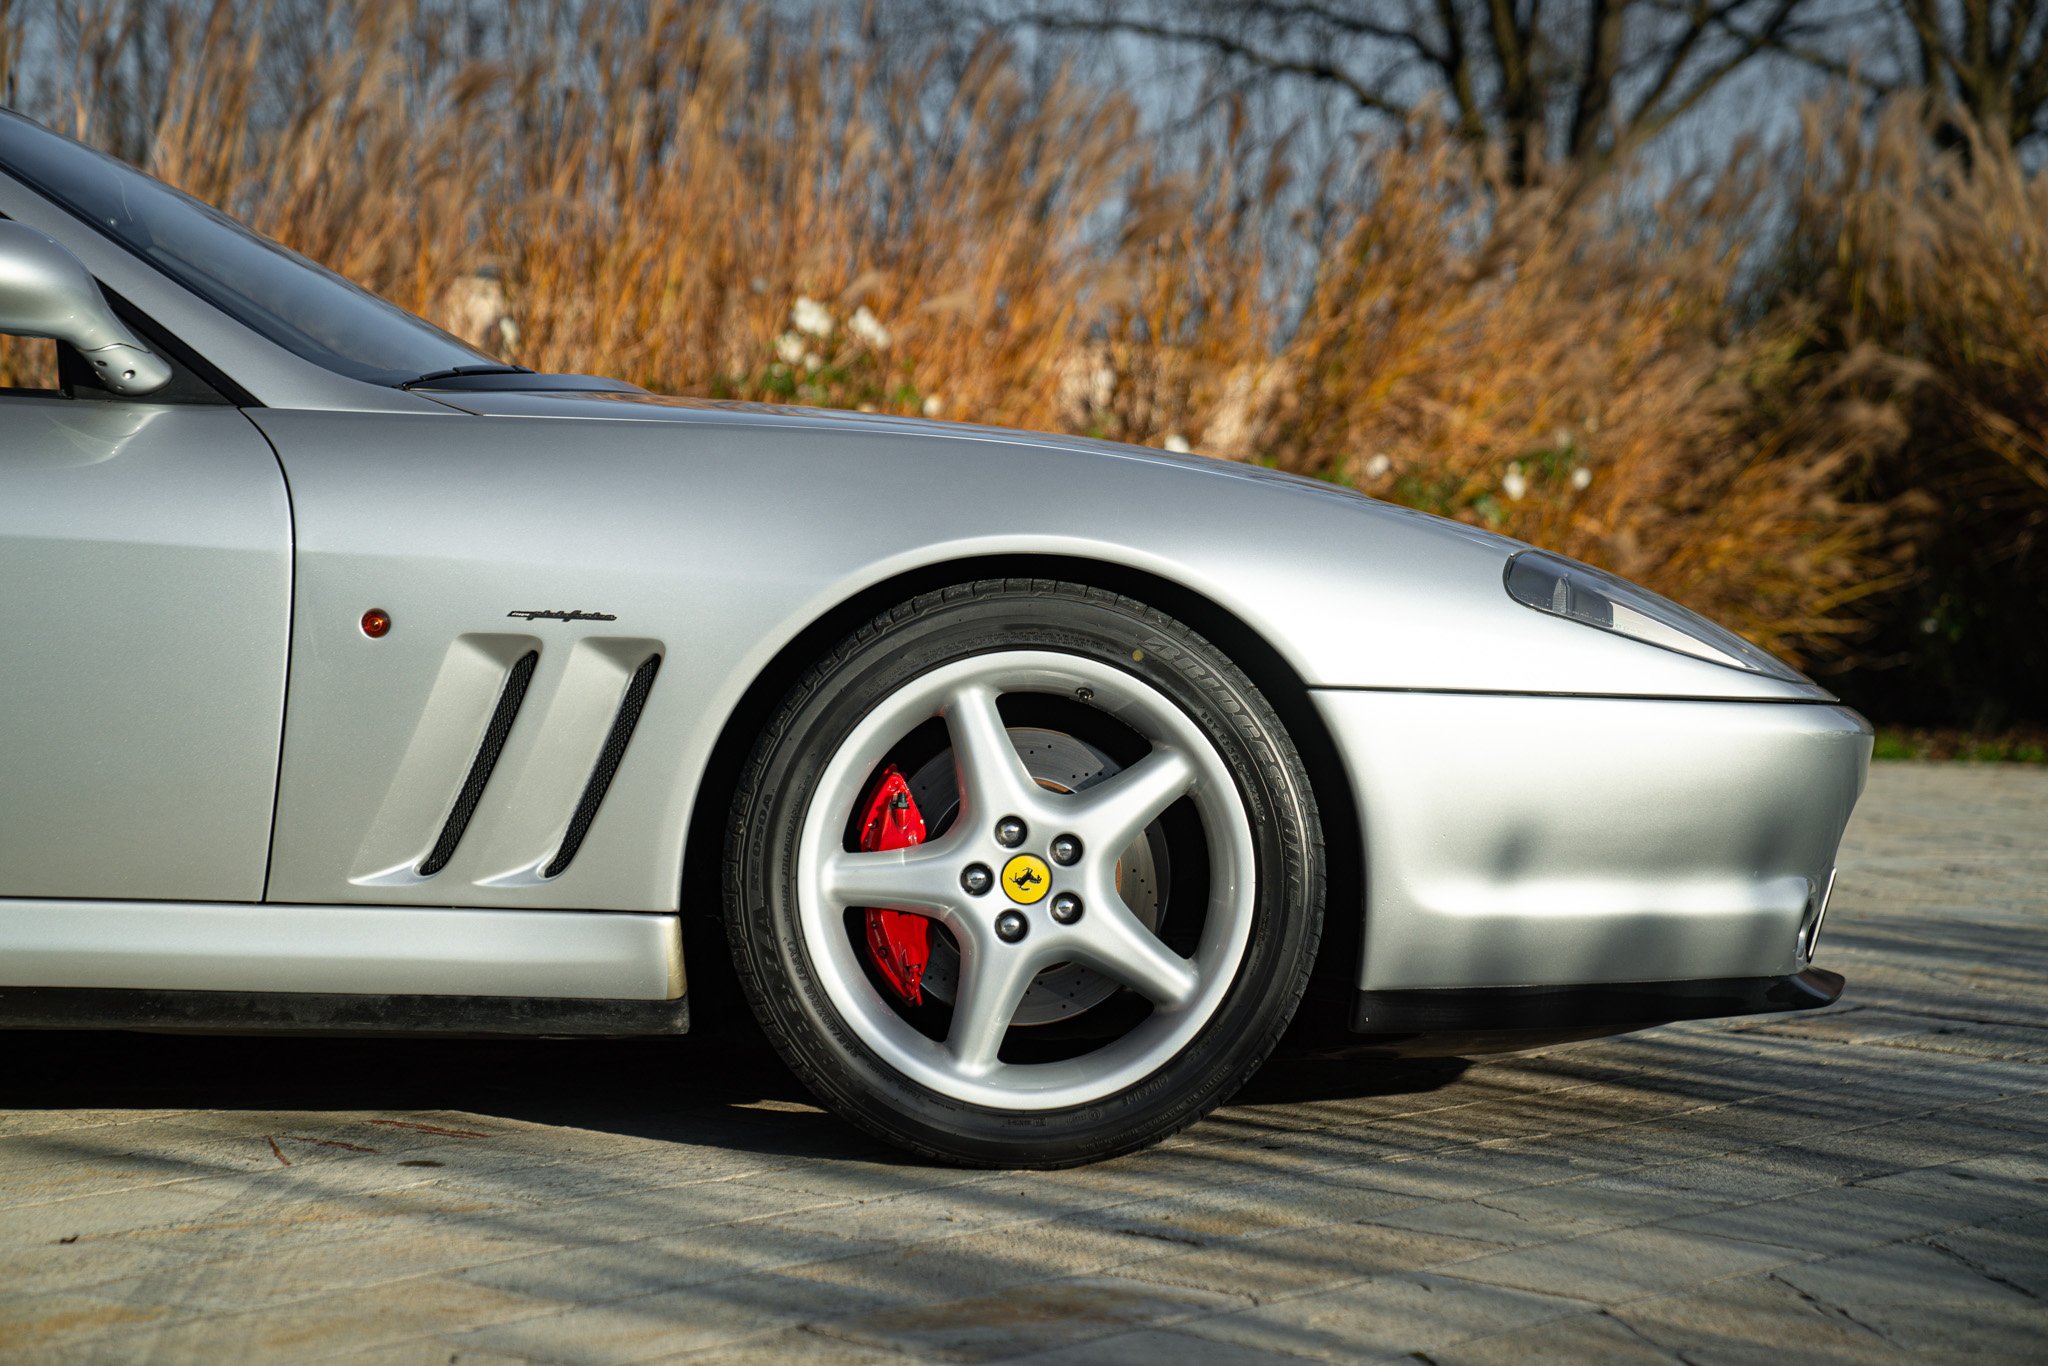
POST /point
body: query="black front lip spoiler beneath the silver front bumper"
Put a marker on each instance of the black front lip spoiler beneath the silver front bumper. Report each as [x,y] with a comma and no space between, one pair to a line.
[1607,1007]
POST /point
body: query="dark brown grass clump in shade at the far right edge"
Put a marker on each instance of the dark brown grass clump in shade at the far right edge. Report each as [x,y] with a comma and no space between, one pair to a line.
[1926,282]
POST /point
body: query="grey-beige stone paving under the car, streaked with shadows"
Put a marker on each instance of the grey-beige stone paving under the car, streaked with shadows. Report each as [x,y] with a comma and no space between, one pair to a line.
[1863,1183]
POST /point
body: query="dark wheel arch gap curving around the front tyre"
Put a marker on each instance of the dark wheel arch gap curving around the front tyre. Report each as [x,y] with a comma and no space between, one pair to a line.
[1336,974]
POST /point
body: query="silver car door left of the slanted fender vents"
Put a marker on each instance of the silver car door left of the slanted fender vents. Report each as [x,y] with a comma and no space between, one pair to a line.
[144,630]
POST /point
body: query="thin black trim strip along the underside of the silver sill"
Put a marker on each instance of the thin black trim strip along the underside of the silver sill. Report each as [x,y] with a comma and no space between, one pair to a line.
[316,1013]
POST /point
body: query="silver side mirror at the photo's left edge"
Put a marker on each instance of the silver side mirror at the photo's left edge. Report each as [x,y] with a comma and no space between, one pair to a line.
[46,292]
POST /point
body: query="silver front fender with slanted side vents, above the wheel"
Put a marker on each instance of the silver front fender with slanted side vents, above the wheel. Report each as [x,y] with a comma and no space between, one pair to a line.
[658,519]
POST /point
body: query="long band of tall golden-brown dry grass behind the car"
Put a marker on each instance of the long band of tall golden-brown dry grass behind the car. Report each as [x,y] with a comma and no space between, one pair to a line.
[654,200]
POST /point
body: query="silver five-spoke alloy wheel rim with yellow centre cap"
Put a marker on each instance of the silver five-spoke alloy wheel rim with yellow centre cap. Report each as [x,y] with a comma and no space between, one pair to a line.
[1078,919]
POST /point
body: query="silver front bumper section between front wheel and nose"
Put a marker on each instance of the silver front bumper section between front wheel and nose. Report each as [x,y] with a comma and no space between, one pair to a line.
[1582,843]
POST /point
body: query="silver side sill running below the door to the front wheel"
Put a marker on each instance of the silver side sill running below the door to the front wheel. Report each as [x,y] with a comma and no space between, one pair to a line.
[343,949]
